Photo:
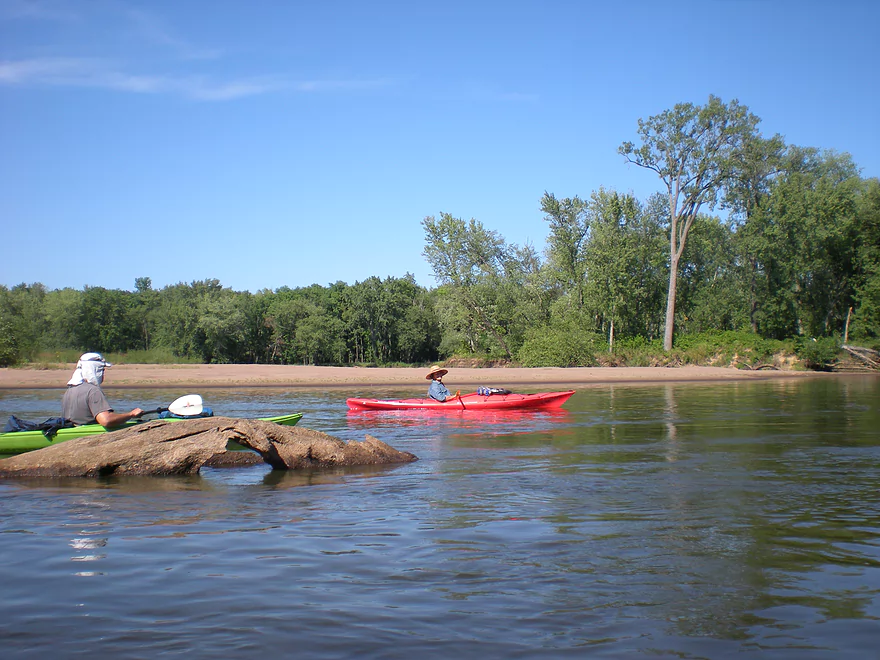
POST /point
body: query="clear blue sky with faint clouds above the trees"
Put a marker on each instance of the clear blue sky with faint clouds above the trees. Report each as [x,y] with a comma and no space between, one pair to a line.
[286,143]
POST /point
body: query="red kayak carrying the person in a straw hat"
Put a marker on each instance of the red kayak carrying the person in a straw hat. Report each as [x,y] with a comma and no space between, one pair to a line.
[473,401]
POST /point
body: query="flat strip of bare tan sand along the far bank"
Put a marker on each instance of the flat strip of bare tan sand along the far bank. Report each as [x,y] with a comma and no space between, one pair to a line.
[261,375]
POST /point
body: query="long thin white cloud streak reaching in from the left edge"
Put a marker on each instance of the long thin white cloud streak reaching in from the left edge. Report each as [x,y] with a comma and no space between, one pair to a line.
[98,74]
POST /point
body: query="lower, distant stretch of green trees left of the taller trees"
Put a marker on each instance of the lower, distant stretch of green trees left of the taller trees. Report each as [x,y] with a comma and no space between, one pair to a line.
[373,322]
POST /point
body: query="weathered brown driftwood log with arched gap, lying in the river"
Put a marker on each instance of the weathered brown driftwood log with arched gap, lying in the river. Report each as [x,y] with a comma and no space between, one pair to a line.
[183,447]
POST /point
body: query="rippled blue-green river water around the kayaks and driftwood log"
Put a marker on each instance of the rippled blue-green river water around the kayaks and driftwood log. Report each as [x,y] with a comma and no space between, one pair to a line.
[669,521]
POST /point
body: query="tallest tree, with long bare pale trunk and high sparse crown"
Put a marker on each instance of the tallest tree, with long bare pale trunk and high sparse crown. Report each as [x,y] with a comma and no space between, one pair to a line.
[693,149]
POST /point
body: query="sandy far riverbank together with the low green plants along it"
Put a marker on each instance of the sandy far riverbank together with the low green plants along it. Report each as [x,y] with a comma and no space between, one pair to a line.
[717,357]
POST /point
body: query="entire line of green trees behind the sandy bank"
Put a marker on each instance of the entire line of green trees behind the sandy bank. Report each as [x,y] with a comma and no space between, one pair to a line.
[793,253]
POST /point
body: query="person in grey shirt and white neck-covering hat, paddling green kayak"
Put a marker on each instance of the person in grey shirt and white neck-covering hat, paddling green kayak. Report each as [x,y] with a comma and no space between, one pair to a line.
[84,401]
